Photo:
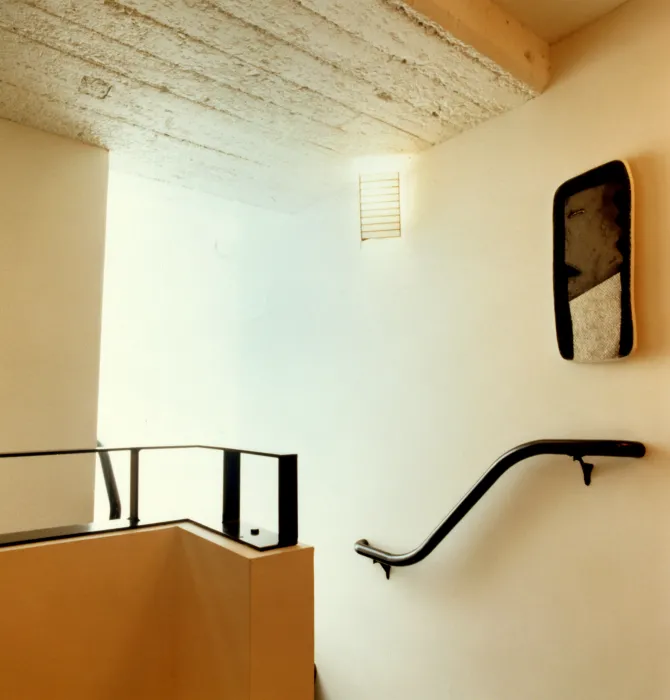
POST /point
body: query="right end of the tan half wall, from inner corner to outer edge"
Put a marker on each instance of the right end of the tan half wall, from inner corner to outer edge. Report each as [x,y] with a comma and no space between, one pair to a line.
[248,625]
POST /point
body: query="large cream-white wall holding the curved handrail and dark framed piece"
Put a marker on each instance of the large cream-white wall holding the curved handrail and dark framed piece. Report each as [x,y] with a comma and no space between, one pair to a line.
[399,370]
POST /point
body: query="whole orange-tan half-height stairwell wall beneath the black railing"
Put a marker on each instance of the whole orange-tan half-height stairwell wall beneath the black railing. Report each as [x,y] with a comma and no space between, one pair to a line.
[171,612]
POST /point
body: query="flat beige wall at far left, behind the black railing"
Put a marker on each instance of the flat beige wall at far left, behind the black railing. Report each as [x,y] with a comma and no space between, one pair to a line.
[52,225]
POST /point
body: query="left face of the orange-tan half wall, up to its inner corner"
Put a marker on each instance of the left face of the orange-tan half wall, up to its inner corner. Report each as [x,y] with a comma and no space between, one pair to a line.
[89,619]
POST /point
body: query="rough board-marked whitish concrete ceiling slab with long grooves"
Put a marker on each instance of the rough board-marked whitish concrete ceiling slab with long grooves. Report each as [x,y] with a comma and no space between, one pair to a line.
[261,101]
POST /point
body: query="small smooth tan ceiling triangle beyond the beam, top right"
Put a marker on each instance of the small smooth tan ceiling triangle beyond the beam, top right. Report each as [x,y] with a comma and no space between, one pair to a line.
[555,19]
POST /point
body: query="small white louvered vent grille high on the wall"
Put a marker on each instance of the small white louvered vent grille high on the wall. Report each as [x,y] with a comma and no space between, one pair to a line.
[380,205]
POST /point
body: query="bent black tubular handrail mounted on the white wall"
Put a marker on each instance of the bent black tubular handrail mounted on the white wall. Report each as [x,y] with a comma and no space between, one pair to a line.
[577,449]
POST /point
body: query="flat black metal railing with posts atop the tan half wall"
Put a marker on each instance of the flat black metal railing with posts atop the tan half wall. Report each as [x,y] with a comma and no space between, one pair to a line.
[232,527]
